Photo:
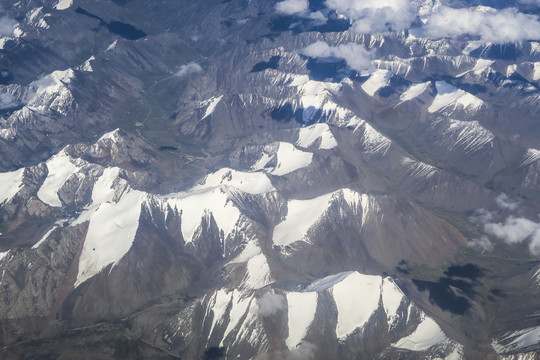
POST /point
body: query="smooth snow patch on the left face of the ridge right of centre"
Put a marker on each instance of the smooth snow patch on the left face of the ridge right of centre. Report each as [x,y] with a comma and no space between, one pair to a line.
[301,215]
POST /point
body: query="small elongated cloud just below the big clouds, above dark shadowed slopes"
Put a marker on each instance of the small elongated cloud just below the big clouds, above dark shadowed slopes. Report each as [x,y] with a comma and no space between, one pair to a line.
[355,55]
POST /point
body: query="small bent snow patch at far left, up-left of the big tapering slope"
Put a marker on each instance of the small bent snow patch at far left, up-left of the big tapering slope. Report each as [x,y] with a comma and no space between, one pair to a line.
[60,167]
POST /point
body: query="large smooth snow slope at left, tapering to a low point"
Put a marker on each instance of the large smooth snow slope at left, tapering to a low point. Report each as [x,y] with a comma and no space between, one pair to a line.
[111,233]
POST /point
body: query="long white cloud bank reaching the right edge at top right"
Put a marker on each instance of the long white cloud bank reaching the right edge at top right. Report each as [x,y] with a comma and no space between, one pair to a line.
[486,24]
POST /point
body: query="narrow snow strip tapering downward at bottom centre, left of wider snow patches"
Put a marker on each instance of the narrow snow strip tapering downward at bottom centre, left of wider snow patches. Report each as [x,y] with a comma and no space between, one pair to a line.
[301,311]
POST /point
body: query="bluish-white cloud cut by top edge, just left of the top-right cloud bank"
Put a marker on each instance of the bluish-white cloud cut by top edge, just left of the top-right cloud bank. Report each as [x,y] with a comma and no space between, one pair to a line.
[376,16]
